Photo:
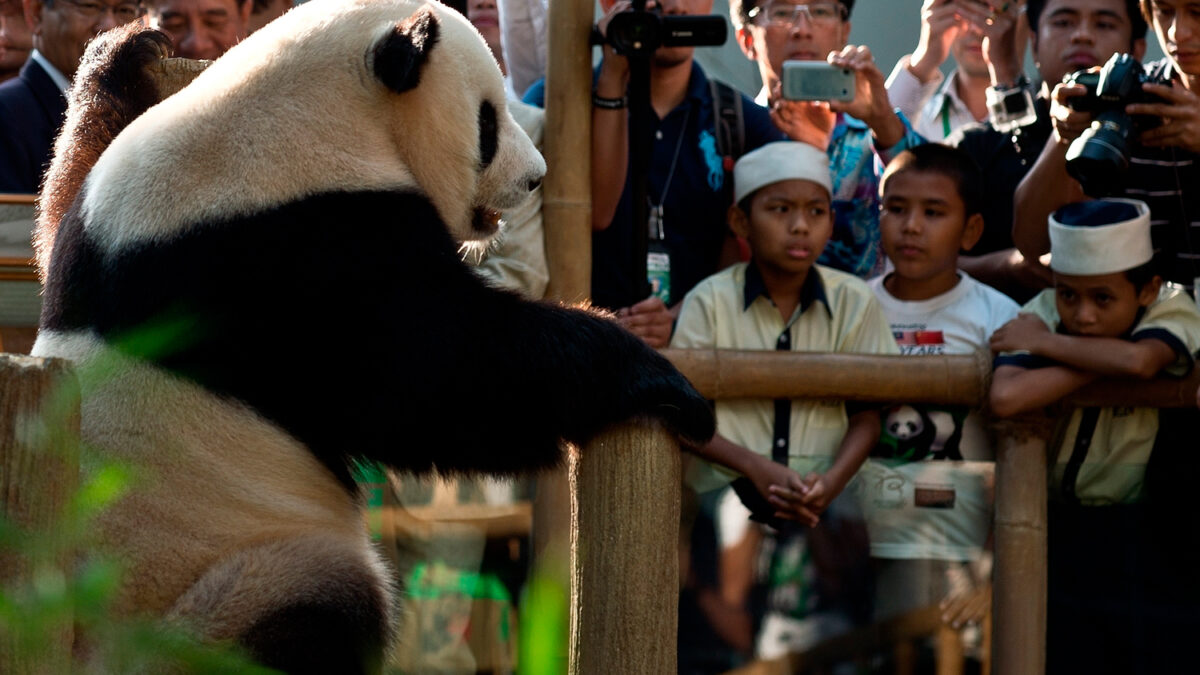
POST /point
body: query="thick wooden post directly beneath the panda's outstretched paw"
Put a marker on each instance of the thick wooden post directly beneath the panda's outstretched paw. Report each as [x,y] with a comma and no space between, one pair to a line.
[626,553]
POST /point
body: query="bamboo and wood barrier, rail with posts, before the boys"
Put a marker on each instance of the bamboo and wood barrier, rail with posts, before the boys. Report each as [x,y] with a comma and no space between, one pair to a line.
[626,523]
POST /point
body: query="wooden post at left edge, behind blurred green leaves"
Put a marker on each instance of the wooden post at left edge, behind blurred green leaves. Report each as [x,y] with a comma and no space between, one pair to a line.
[39,474]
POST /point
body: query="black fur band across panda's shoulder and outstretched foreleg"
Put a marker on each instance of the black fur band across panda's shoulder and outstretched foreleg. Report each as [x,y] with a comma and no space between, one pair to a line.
[350,320]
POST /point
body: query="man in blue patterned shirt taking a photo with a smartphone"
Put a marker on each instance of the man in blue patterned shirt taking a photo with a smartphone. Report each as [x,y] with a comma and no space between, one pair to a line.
[860,136]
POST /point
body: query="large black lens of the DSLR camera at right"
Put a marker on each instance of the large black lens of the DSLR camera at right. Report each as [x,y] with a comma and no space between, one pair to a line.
[1099,159]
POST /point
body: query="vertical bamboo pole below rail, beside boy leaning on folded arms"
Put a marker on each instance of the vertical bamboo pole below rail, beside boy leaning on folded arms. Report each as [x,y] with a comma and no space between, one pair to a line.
[1019,605]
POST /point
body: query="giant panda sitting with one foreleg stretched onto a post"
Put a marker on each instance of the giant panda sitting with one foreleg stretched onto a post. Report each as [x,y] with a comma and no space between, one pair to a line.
[316,180]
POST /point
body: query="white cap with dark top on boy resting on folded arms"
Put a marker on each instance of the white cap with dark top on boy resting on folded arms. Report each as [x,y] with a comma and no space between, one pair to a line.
[1101,237]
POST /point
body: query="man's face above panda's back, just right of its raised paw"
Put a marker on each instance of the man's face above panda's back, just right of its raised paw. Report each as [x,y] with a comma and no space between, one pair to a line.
[202,29]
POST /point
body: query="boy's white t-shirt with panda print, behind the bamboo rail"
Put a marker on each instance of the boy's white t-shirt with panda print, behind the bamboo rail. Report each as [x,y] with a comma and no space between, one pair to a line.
[926,492]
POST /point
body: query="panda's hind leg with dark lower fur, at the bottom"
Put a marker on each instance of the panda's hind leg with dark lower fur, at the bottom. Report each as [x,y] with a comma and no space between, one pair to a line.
[311,605]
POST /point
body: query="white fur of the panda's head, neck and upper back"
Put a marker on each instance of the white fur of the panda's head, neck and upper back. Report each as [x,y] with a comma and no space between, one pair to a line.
[255,132]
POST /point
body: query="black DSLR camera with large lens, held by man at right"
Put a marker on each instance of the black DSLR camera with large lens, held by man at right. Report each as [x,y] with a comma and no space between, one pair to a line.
[1100,158]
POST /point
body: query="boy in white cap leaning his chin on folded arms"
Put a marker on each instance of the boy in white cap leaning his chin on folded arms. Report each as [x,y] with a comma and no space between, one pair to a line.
[1108,315]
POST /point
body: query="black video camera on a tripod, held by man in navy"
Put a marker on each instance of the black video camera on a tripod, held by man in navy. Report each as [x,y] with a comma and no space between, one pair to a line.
[641,32]
